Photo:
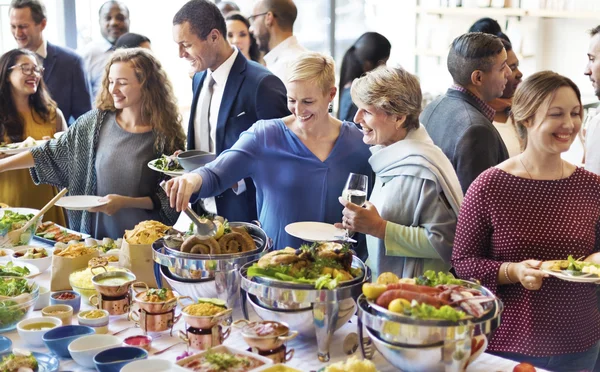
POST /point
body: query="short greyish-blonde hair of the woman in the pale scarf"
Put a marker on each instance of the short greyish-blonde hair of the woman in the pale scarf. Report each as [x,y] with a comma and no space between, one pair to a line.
[393,90]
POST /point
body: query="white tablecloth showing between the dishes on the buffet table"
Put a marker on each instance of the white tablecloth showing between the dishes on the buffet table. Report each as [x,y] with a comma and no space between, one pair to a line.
[305,355]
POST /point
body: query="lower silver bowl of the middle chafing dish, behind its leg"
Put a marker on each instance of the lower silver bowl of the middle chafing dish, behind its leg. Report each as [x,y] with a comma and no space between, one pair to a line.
[302,320]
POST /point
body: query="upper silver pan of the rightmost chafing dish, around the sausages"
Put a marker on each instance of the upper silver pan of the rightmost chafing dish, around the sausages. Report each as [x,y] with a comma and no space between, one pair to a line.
[405,330]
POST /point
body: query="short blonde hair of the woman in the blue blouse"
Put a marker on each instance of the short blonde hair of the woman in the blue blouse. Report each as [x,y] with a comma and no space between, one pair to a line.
[314,67]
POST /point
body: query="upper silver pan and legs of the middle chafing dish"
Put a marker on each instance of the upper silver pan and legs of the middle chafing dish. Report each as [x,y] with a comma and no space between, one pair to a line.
[326,304]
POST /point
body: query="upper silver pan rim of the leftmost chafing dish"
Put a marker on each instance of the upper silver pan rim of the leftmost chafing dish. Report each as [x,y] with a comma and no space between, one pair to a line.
[202,266]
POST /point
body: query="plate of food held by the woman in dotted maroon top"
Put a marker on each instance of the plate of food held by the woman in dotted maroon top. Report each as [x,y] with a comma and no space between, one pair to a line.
[572,270]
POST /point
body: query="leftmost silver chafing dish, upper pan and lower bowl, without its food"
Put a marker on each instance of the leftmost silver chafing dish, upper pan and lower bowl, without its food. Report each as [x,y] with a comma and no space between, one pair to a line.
[205,275]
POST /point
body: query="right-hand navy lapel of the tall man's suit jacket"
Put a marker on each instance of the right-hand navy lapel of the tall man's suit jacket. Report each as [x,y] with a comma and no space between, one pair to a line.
[234,82]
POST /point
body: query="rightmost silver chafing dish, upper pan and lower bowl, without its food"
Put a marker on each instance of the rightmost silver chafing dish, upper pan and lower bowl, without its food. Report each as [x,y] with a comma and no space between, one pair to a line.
[420,344]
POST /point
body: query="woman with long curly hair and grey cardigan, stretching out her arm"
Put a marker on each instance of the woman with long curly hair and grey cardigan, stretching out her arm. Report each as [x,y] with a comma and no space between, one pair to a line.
[106,151]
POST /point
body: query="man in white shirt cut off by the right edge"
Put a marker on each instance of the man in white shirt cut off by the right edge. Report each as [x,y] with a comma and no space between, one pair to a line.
[592,135]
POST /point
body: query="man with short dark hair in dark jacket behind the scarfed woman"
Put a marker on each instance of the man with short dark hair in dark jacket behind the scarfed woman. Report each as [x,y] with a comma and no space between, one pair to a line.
[460,121]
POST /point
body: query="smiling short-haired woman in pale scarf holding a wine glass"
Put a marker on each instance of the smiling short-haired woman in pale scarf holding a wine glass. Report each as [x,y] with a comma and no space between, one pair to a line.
[411,216]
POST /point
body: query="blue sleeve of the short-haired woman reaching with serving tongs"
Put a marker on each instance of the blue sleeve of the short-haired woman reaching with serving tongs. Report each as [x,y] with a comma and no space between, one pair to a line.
[231,166]
